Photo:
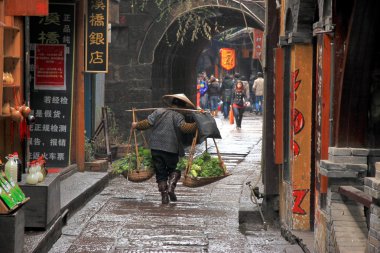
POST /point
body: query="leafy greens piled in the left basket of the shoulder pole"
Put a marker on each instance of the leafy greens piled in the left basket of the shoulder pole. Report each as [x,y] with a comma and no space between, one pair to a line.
[129,162]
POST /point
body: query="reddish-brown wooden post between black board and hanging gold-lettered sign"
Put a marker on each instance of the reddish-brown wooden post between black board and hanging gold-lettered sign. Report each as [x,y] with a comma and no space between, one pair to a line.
[78,126]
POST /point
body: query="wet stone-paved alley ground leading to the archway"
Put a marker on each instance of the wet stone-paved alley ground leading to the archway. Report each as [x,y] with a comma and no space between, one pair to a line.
[129,217]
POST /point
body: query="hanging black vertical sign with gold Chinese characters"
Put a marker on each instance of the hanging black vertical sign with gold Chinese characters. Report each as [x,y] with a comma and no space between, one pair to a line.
[96,36]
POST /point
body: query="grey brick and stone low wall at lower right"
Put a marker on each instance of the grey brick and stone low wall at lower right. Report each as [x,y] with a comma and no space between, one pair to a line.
[345,219]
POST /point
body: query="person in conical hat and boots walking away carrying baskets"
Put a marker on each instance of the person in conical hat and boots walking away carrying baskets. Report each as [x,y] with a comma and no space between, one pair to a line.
[165,142]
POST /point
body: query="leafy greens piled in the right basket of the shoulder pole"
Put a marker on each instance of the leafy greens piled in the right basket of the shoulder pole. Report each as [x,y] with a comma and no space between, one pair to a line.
[202,166]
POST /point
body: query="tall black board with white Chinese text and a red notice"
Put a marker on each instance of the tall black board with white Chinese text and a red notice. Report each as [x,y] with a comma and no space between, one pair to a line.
[52,63]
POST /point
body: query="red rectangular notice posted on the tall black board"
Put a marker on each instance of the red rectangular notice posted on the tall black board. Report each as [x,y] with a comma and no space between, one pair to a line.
[49,67]
